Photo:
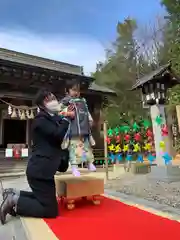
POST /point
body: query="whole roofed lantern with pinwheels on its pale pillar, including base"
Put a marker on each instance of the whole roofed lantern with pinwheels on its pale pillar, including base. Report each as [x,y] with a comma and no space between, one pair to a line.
[154,89]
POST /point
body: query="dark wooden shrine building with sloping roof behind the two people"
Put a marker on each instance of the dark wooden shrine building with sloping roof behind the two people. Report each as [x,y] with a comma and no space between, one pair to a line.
[21,76]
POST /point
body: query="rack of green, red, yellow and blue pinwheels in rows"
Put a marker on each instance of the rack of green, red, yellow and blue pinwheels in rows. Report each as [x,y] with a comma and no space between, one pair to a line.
[131,144]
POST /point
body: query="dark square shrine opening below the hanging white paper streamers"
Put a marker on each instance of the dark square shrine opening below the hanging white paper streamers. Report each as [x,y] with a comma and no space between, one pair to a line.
[14,132]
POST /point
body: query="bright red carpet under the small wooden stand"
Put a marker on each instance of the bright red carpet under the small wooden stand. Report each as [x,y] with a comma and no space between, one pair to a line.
[112,220]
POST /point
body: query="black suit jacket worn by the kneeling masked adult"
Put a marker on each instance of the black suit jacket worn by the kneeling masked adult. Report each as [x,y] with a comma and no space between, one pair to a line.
[47,156]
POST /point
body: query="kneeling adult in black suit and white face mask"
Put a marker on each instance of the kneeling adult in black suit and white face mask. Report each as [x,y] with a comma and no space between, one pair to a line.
[47,157]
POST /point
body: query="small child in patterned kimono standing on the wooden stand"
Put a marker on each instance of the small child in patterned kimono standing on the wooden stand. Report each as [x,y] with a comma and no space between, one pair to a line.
[79,140]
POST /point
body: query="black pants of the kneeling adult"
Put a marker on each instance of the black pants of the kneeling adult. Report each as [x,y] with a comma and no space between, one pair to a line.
[41,202]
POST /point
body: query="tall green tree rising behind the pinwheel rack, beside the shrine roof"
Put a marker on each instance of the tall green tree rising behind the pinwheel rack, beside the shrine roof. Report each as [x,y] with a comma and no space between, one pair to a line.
[120,72]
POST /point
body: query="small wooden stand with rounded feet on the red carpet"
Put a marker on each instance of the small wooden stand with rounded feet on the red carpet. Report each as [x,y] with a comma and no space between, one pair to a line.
[69,189]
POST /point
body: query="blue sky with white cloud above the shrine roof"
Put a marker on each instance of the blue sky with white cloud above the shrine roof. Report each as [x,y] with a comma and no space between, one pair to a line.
[69,30]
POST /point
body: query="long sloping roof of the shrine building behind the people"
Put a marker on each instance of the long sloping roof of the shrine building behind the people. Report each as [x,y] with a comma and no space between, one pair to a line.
[13,61]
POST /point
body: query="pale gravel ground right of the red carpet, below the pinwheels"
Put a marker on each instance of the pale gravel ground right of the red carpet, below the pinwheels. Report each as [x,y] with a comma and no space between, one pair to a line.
[140,186]
